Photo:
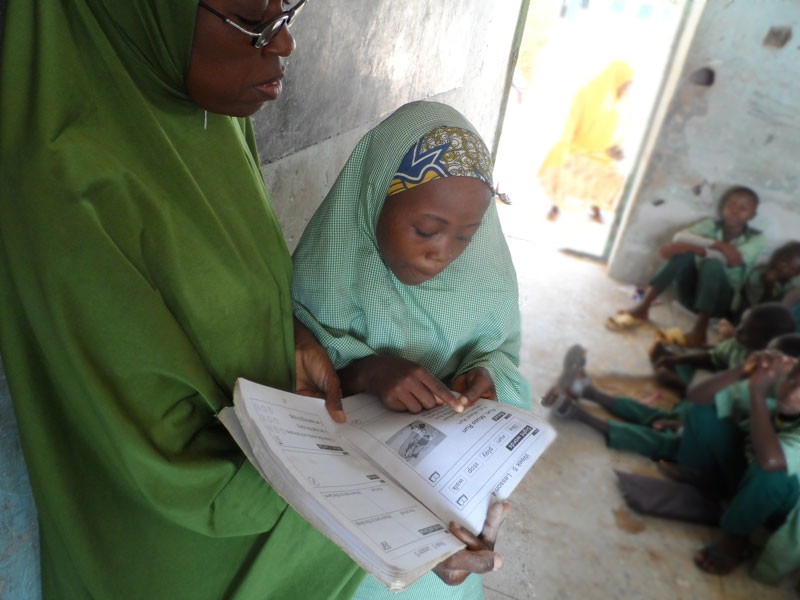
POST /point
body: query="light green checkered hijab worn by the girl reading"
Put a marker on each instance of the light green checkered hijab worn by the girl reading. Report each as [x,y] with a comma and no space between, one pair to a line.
[467,316]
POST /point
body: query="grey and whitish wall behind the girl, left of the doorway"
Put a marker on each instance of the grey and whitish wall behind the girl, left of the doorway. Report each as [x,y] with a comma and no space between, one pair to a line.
[354,67]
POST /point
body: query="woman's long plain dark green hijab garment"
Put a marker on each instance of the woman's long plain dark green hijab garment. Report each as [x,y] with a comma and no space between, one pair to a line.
[142,270]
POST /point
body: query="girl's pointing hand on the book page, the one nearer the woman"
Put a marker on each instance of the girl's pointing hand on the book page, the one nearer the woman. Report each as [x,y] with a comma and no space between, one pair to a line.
[402,385]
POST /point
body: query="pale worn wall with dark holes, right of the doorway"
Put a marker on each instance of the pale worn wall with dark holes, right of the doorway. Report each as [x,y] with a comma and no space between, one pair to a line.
[742,129]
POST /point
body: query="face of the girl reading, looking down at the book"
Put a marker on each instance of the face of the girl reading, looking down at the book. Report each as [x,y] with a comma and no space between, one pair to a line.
[422,230]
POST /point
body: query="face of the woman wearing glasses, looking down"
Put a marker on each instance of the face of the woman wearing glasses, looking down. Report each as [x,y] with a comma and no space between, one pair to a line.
[227,75]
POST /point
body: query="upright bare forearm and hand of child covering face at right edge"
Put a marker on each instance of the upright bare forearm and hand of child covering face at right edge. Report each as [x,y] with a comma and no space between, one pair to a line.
[766,447]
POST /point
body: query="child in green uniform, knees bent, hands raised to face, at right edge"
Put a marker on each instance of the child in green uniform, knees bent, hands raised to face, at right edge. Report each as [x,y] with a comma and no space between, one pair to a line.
[755,462]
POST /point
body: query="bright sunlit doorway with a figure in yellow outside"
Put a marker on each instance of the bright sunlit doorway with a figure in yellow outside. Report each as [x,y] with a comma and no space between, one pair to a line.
[572,132]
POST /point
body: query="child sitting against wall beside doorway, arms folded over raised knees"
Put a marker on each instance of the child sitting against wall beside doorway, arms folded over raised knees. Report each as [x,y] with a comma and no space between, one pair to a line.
[709,263]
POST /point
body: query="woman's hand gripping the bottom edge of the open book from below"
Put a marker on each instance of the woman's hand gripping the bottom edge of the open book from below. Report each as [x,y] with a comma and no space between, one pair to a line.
[479,555]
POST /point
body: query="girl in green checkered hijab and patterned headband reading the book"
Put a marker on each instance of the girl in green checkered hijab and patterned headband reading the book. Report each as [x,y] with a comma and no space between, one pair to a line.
[404,275]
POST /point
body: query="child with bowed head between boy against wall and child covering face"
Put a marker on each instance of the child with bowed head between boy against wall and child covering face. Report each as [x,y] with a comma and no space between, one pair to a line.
[675,368]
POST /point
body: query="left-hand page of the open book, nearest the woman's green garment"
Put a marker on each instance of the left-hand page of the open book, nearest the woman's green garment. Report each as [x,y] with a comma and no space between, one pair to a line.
[332,486]
